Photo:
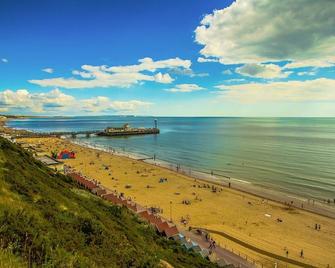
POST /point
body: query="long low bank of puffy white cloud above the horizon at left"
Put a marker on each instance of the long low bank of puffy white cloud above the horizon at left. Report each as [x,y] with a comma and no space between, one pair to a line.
[57,101]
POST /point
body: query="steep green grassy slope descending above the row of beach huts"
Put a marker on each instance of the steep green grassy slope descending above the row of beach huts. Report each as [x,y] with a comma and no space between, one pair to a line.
[47,221]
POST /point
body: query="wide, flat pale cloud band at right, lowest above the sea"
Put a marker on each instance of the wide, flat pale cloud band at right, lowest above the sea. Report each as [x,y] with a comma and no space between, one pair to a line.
[321,89]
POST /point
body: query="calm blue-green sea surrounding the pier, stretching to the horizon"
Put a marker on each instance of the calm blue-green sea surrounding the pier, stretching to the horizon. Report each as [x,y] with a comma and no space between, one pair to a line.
[291,155]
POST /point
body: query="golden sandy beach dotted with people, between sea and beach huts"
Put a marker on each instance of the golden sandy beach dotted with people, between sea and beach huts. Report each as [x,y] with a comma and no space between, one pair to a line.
[244,216]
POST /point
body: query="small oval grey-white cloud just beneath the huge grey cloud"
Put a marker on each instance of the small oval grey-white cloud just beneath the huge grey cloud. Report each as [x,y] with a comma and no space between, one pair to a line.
[266,71]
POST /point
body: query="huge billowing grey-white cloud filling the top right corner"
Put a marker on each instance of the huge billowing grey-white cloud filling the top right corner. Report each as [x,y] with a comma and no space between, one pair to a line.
[250,31]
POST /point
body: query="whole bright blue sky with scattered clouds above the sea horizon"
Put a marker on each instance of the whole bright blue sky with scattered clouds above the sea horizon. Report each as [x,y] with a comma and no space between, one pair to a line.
[167,58]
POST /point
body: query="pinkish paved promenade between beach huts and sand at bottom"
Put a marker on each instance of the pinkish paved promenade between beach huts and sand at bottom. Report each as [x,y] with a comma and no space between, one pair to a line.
[221,253]
